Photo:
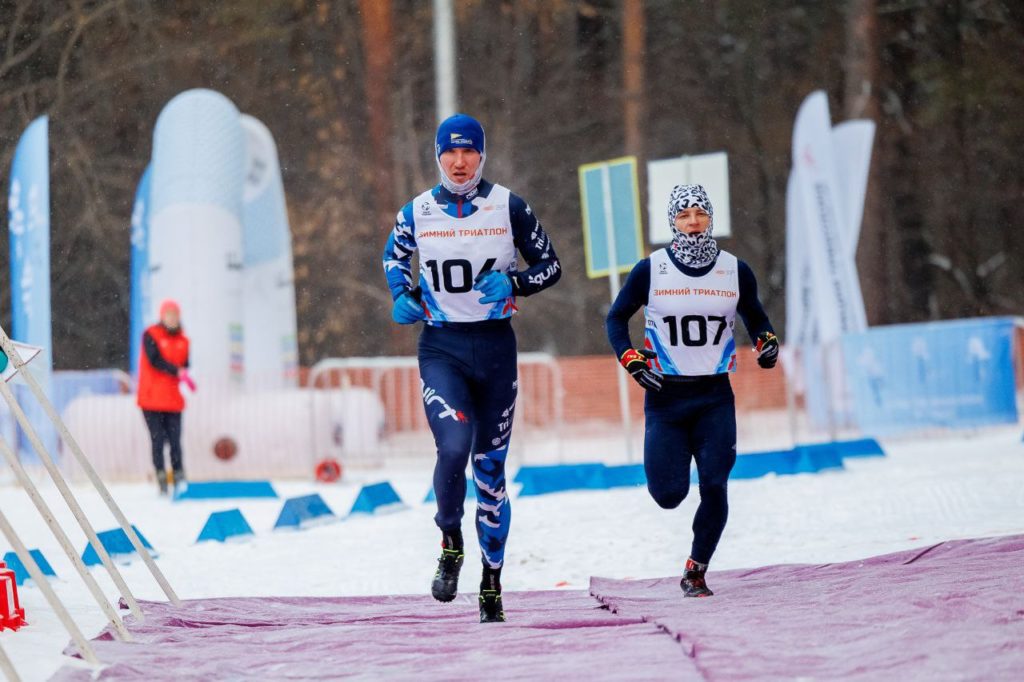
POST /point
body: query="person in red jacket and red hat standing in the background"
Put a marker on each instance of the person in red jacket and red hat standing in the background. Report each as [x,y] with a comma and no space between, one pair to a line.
[163,366]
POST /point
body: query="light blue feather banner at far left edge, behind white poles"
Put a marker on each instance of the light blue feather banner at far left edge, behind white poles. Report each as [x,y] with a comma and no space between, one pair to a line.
[29,229]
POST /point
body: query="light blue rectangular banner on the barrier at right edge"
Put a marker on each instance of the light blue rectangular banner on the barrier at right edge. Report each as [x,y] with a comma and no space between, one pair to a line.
[957,374]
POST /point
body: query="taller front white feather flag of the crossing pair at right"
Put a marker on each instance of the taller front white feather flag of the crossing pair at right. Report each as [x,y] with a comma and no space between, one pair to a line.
[839,306]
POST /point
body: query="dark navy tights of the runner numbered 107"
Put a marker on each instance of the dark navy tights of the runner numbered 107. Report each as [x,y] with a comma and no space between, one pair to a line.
[693,421]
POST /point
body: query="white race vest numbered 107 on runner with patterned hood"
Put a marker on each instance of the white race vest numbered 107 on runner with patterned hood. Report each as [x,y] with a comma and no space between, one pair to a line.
[690,321]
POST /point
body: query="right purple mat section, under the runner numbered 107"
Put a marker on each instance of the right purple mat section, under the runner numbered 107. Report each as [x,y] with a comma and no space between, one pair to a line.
[953,612]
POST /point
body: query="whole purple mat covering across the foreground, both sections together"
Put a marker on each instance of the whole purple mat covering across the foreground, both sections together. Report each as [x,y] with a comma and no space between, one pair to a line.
[951,612]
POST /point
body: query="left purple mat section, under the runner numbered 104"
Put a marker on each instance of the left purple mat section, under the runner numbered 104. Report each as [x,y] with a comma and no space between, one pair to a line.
[394,638]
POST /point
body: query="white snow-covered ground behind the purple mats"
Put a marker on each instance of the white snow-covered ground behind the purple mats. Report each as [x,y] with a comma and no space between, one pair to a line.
[924,492]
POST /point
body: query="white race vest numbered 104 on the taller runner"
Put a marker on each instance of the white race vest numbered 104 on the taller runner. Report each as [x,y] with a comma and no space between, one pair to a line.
[455,251]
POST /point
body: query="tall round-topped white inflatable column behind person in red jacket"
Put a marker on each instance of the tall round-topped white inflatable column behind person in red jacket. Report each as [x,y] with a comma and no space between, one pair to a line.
[196,252]
